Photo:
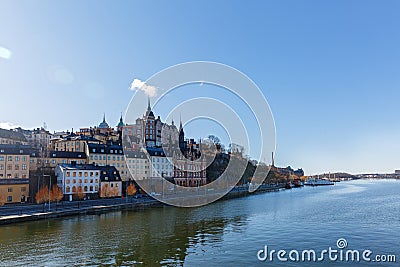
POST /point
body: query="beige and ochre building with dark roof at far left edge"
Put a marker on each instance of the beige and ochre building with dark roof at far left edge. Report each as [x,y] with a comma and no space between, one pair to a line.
[14,172]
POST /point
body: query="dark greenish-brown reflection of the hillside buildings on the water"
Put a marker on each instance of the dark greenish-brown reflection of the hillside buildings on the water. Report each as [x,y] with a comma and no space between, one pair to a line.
[151,237]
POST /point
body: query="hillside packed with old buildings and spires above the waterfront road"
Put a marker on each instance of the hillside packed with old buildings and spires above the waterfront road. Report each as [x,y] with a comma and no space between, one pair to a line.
[101,161]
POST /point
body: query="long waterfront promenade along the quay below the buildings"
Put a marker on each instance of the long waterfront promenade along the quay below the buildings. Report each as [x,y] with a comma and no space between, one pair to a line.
[30,212]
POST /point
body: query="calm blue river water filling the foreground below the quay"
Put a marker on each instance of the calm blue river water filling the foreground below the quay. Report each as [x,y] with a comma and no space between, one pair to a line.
[366,213]
